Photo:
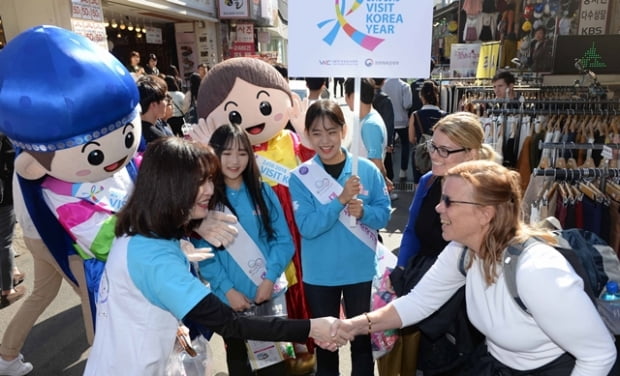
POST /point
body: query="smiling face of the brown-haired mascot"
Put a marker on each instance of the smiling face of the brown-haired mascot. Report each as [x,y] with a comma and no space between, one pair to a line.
[262,112]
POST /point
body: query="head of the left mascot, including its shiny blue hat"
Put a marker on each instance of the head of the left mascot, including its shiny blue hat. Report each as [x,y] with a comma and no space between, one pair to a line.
[77,121]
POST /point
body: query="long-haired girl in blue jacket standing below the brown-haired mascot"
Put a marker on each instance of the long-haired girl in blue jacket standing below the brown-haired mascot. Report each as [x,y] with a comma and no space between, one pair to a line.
[240,189]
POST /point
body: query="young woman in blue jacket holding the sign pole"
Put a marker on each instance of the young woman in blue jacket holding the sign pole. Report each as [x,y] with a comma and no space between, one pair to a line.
[338,215]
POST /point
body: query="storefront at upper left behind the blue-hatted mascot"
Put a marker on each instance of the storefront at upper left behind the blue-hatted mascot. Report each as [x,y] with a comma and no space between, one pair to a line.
[181,35]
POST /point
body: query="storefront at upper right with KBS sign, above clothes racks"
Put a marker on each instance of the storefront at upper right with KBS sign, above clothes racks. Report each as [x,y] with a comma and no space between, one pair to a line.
[532,36]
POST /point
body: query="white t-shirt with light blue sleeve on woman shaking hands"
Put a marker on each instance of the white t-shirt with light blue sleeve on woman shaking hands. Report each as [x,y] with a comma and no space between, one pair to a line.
[146,289]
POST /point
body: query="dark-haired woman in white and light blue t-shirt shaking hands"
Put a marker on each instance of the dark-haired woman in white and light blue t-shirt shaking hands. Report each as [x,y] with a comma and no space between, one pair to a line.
[147,288]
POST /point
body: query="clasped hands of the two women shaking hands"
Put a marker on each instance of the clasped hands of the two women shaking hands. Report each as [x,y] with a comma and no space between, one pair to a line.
[330,333]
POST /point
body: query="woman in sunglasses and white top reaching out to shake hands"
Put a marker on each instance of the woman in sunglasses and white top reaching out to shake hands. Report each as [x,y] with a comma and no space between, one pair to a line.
[560,334]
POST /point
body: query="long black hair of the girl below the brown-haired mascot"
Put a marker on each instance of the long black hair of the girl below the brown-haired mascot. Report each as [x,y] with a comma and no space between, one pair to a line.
[225,138]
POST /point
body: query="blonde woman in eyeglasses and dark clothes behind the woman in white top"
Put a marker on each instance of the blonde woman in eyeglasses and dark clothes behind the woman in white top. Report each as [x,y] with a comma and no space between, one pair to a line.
[456,138]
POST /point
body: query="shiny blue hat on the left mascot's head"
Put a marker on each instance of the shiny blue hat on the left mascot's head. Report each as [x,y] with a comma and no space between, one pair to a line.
[60,90]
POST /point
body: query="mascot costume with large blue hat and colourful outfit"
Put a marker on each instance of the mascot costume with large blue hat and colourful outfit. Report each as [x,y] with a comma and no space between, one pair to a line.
[72,111]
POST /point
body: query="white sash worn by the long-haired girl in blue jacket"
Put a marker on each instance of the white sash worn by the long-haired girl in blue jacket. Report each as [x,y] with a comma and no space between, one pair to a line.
[250,259]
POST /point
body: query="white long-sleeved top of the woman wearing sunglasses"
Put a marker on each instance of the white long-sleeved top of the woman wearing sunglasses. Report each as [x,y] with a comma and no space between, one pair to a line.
[563,319]
